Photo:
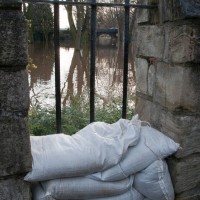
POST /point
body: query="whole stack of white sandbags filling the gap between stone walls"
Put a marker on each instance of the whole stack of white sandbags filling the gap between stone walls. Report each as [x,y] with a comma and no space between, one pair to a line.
[121,161]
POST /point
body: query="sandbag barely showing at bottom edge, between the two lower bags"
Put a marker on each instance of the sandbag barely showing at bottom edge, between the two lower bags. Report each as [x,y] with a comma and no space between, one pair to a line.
[132,194]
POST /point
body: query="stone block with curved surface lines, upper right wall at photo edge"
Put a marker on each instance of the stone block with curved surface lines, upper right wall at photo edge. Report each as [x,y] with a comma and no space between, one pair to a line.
[184,40]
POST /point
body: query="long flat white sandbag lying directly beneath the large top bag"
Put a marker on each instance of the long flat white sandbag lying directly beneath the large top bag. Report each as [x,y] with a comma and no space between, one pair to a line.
[84,188]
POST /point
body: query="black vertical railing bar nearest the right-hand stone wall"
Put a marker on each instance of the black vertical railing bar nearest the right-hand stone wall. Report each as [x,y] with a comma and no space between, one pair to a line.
[126,50]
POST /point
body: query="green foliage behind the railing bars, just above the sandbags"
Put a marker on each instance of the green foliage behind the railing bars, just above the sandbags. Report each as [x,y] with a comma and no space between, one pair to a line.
[74,117]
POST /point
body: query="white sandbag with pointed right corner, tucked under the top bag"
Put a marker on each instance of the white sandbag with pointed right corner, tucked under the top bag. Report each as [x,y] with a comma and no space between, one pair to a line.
[153,145]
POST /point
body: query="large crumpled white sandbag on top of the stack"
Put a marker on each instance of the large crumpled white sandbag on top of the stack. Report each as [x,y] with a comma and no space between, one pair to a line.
[94,148]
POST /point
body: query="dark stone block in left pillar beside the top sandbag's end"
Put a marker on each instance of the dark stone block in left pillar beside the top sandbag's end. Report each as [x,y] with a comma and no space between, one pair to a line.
[15,155]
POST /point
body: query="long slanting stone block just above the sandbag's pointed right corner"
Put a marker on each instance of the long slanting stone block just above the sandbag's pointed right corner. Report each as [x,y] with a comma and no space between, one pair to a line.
[183,128]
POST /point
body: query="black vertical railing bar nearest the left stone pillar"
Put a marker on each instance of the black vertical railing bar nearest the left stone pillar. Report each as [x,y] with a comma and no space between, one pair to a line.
[57,68]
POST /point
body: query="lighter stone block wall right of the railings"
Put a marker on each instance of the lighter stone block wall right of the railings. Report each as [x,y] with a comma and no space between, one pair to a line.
[168,83]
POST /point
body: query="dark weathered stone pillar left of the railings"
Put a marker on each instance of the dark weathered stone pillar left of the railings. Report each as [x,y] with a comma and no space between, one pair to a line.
[15,156]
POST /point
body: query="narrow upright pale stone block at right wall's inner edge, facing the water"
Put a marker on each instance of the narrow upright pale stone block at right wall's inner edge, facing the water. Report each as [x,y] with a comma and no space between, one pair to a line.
[141,75]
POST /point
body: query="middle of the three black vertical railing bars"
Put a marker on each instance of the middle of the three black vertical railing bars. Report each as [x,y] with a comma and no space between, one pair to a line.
[92,60]
